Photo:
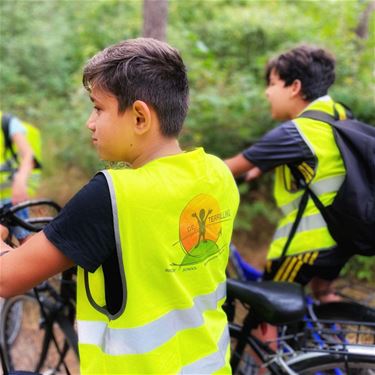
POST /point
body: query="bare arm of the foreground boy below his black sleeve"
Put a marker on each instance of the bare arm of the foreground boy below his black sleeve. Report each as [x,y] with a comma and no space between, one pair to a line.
[28,265]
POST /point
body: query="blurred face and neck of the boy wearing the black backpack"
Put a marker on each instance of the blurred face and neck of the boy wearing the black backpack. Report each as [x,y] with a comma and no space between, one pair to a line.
[279,97]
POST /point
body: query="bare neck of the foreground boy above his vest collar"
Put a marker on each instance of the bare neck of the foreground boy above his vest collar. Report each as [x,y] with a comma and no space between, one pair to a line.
[162,148]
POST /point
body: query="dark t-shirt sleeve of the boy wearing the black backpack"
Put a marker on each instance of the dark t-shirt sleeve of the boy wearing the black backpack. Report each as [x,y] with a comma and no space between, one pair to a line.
[282,145]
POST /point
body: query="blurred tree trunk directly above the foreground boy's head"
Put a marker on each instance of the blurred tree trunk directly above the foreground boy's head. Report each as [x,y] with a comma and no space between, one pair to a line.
[155,14]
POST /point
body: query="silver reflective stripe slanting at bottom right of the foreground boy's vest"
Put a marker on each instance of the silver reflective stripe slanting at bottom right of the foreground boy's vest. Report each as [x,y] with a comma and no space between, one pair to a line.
[212,362]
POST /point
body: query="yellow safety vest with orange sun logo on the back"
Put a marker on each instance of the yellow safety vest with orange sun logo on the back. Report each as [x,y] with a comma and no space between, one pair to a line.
[173,221]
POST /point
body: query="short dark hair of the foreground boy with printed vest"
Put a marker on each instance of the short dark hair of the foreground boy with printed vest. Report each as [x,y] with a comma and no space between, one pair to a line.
[143,69]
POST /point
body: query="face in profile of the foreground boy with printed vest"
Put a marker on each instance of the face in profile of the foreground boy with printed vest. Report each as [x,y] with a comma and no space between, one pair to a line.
[112,133]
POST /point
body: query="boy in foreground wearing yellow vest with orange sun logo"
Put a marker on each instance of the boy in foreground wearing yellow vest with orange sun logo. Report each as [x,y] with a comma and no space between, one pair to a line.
[149,288]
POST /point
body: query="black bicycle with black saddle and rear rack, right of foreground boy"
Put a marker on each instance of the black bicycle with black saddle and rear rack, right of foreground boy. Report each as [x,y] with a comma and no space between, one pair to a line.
[310,350]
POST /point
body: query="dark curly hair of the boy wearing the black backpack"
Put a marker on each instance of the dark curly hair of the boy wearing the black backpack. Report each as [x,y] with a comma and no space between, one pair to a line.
[313,66]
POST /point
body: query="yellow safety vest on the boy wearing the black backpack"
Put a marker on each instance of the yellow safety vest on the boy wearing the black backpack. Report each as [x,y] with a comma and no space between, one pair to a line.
[312,232]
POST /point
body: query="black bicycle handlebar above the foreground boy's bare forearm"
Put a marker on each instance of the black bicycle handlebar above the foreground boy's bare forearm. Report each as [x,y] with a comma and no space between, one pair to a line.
[8,215]
